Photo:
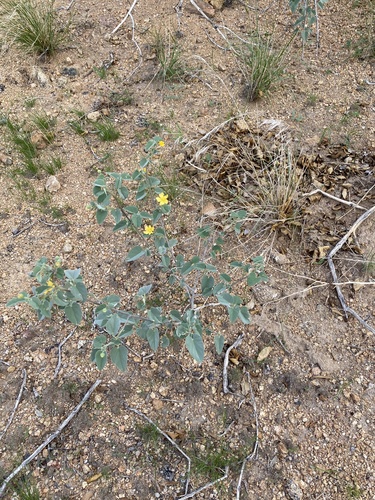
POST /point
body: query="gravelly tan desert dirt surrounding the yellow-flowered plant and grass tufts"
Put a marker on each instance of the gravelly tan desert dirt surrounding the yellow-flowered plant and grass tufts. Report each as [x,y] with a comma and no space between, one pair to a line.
[304,415]
